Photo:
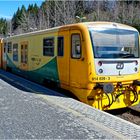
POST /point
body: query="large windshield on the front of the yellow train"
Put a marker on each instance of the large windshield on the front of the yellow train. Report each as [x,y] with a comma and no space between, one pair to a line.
[115,43]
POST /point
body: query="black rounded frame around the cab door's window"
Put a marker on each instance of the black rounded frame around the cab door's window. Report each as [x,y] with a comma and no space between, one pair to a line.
[80,45]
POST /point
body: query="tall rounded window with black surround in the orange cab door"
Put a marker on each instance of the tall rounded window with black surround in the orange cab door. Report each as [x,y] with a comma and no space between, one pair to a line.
[76,46]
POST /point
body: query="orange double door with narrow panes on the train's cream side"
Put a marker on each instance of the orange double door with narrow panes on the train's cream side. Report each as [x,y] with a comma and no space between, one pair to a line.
[24,56]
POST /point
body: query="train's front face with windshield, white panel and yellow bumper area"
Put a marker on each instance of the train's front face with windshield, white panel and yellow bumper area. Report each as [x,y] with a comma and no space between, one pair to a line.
[116,66]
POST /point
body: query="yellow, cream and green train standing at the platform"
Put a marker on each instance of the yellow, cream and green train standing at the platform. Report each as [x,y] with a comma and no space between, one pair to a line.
[99,62]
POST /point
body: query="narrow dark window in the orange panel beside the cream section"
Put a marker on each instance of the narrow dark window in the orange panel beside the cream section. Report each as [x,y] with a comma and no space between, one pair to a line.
[60,46]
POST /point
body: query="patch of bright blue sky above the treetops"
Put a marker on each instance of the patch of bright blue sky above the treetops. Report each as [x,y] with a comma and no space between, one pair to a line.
[9,7]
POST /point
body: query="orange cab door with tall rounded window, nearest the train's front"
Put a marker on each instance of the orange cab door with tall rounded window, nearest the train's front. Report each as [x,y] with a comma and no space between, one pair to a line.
[77,67]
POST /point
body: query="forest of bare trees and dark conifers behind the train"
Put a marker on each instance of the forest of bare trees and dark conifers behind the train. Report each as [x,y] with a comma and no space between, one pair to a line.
[54,13]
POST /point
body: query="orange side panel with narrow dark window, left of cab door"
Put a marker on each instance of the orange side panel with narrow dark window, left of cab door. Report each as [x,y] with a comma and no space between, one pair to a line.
[63,50]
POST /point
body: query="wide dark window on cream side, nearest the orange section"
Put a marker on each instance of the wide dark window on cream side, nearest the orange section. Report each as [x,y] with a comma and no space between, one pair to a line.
[48,46]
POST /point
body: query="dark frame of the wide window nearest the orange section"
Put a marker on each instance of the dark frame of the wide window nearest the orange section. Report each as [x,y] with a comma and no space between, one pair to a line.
[49,53]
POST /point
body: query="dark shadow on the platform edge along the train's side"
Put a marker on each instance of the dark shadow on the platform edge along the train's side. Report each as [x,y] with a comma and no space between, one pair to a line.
[32,87]
